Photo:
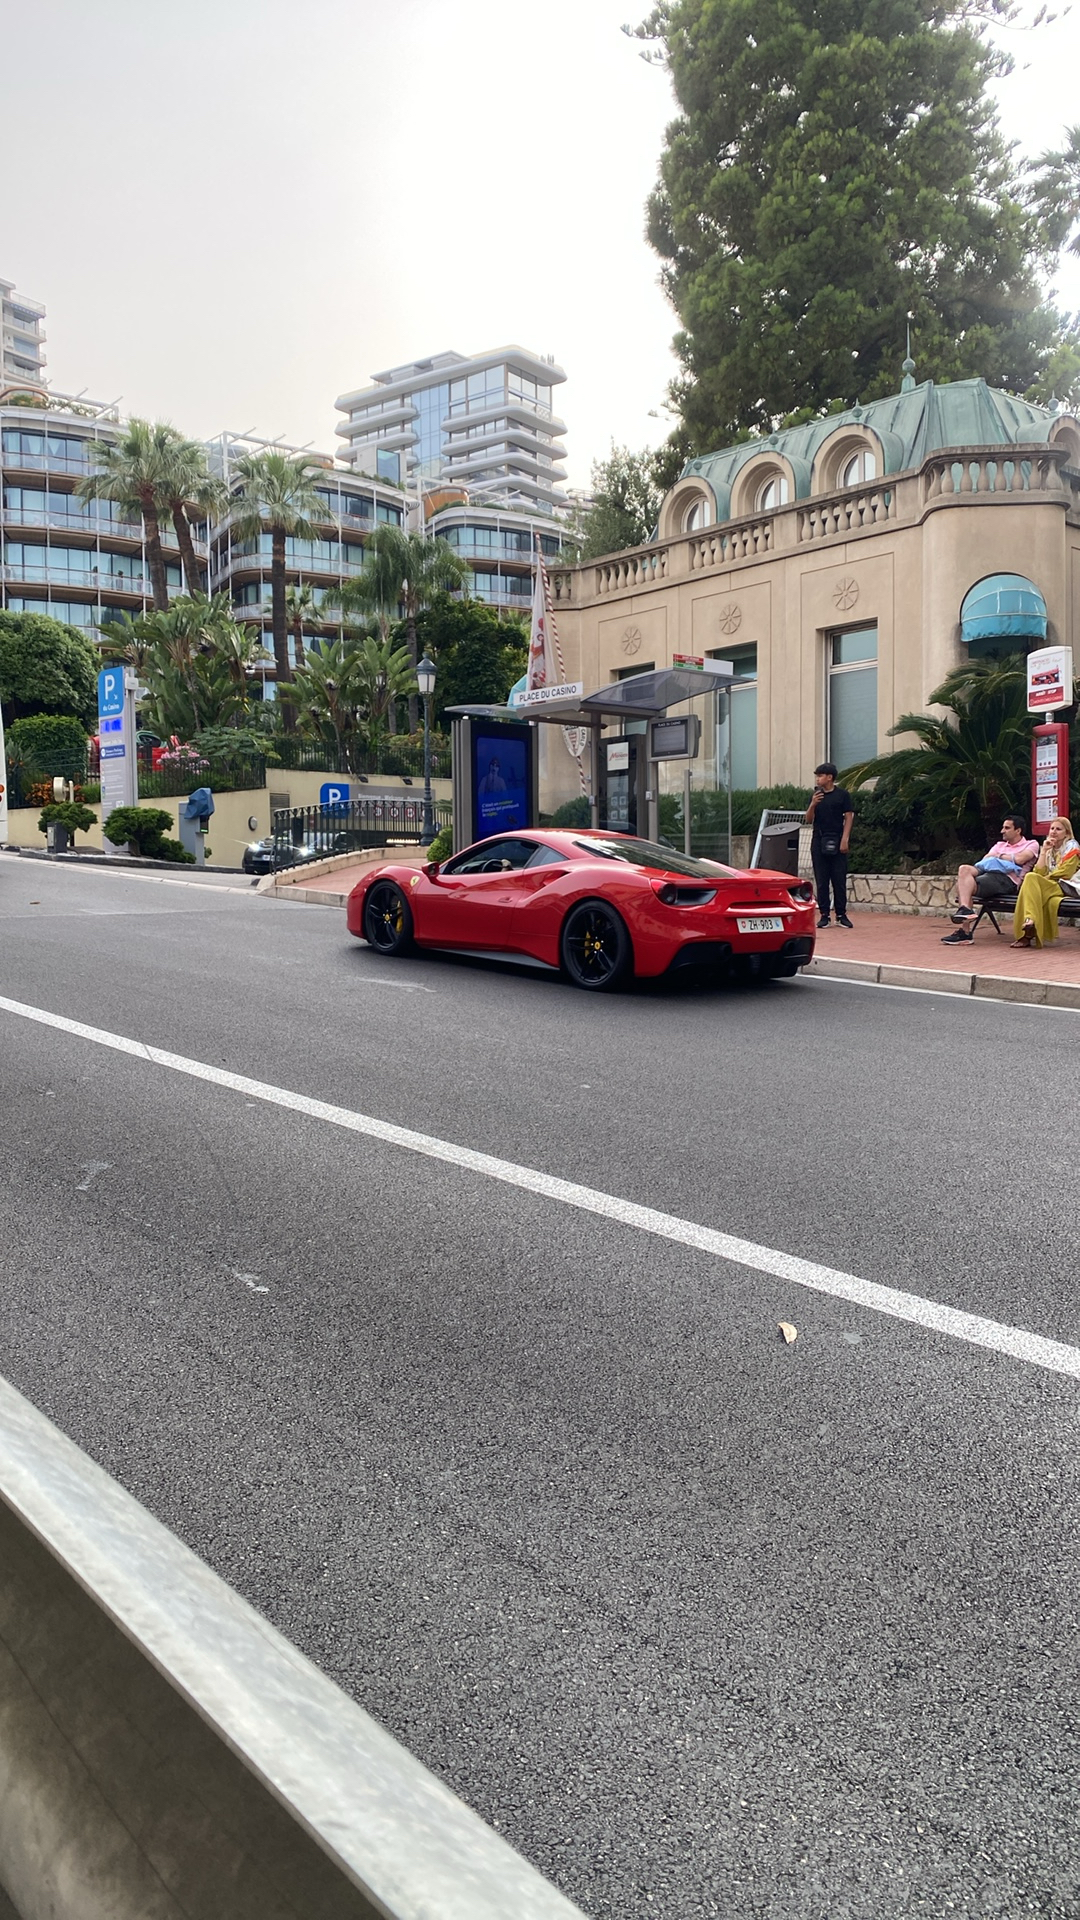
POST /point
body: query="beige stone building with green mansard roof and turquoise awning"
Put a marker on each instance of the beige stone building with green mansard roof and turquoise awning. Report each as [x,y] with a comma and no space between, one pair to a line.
[845,567]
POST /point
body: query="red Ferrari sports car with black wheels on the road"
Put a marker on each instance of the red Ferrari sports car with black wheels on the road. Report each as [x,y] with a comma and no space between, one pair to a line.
[602,907]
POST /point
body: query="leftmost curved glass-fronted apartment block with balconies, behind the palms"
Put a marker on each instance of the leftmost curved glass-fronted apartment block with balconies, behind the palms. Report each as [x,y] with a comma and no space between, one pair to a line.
[76,560]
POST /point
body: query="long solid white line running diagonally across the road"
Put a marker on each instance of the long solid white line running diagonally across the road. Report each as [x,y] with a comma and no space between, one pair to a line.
[931,1314]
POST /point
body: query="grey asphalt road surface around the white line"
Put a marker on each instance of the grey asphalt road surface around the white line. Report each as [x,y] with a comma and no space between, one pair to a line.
[700,1621]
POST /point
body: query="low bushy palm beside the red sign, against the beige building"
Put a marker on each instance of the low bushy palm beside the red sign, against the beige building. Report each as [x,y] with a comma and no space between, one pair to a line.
[975,759]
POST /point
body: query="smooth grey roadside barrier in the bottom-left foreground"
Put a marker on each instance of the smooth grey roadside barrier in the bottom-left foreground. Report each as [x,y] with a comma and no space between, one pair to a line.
[168,1756]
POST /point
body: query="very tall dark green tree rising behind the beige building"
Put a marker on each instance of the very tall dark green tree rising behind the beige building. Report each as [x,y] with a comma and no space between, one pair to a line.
[837,168]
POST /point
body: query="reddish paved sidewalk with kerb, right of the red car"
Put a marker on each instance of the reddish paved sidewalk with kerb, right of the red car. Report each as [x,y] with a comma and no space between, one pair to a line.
[906,951]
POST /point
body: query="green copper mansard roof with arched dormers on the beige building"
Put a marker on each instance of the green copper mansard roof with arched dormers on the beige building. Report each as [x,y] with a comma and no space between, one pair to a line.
[966,414]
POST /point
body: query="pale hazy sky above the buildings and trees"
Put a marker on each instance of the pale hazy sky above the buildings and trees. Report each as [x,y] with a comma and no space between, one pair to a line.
[237,210]
